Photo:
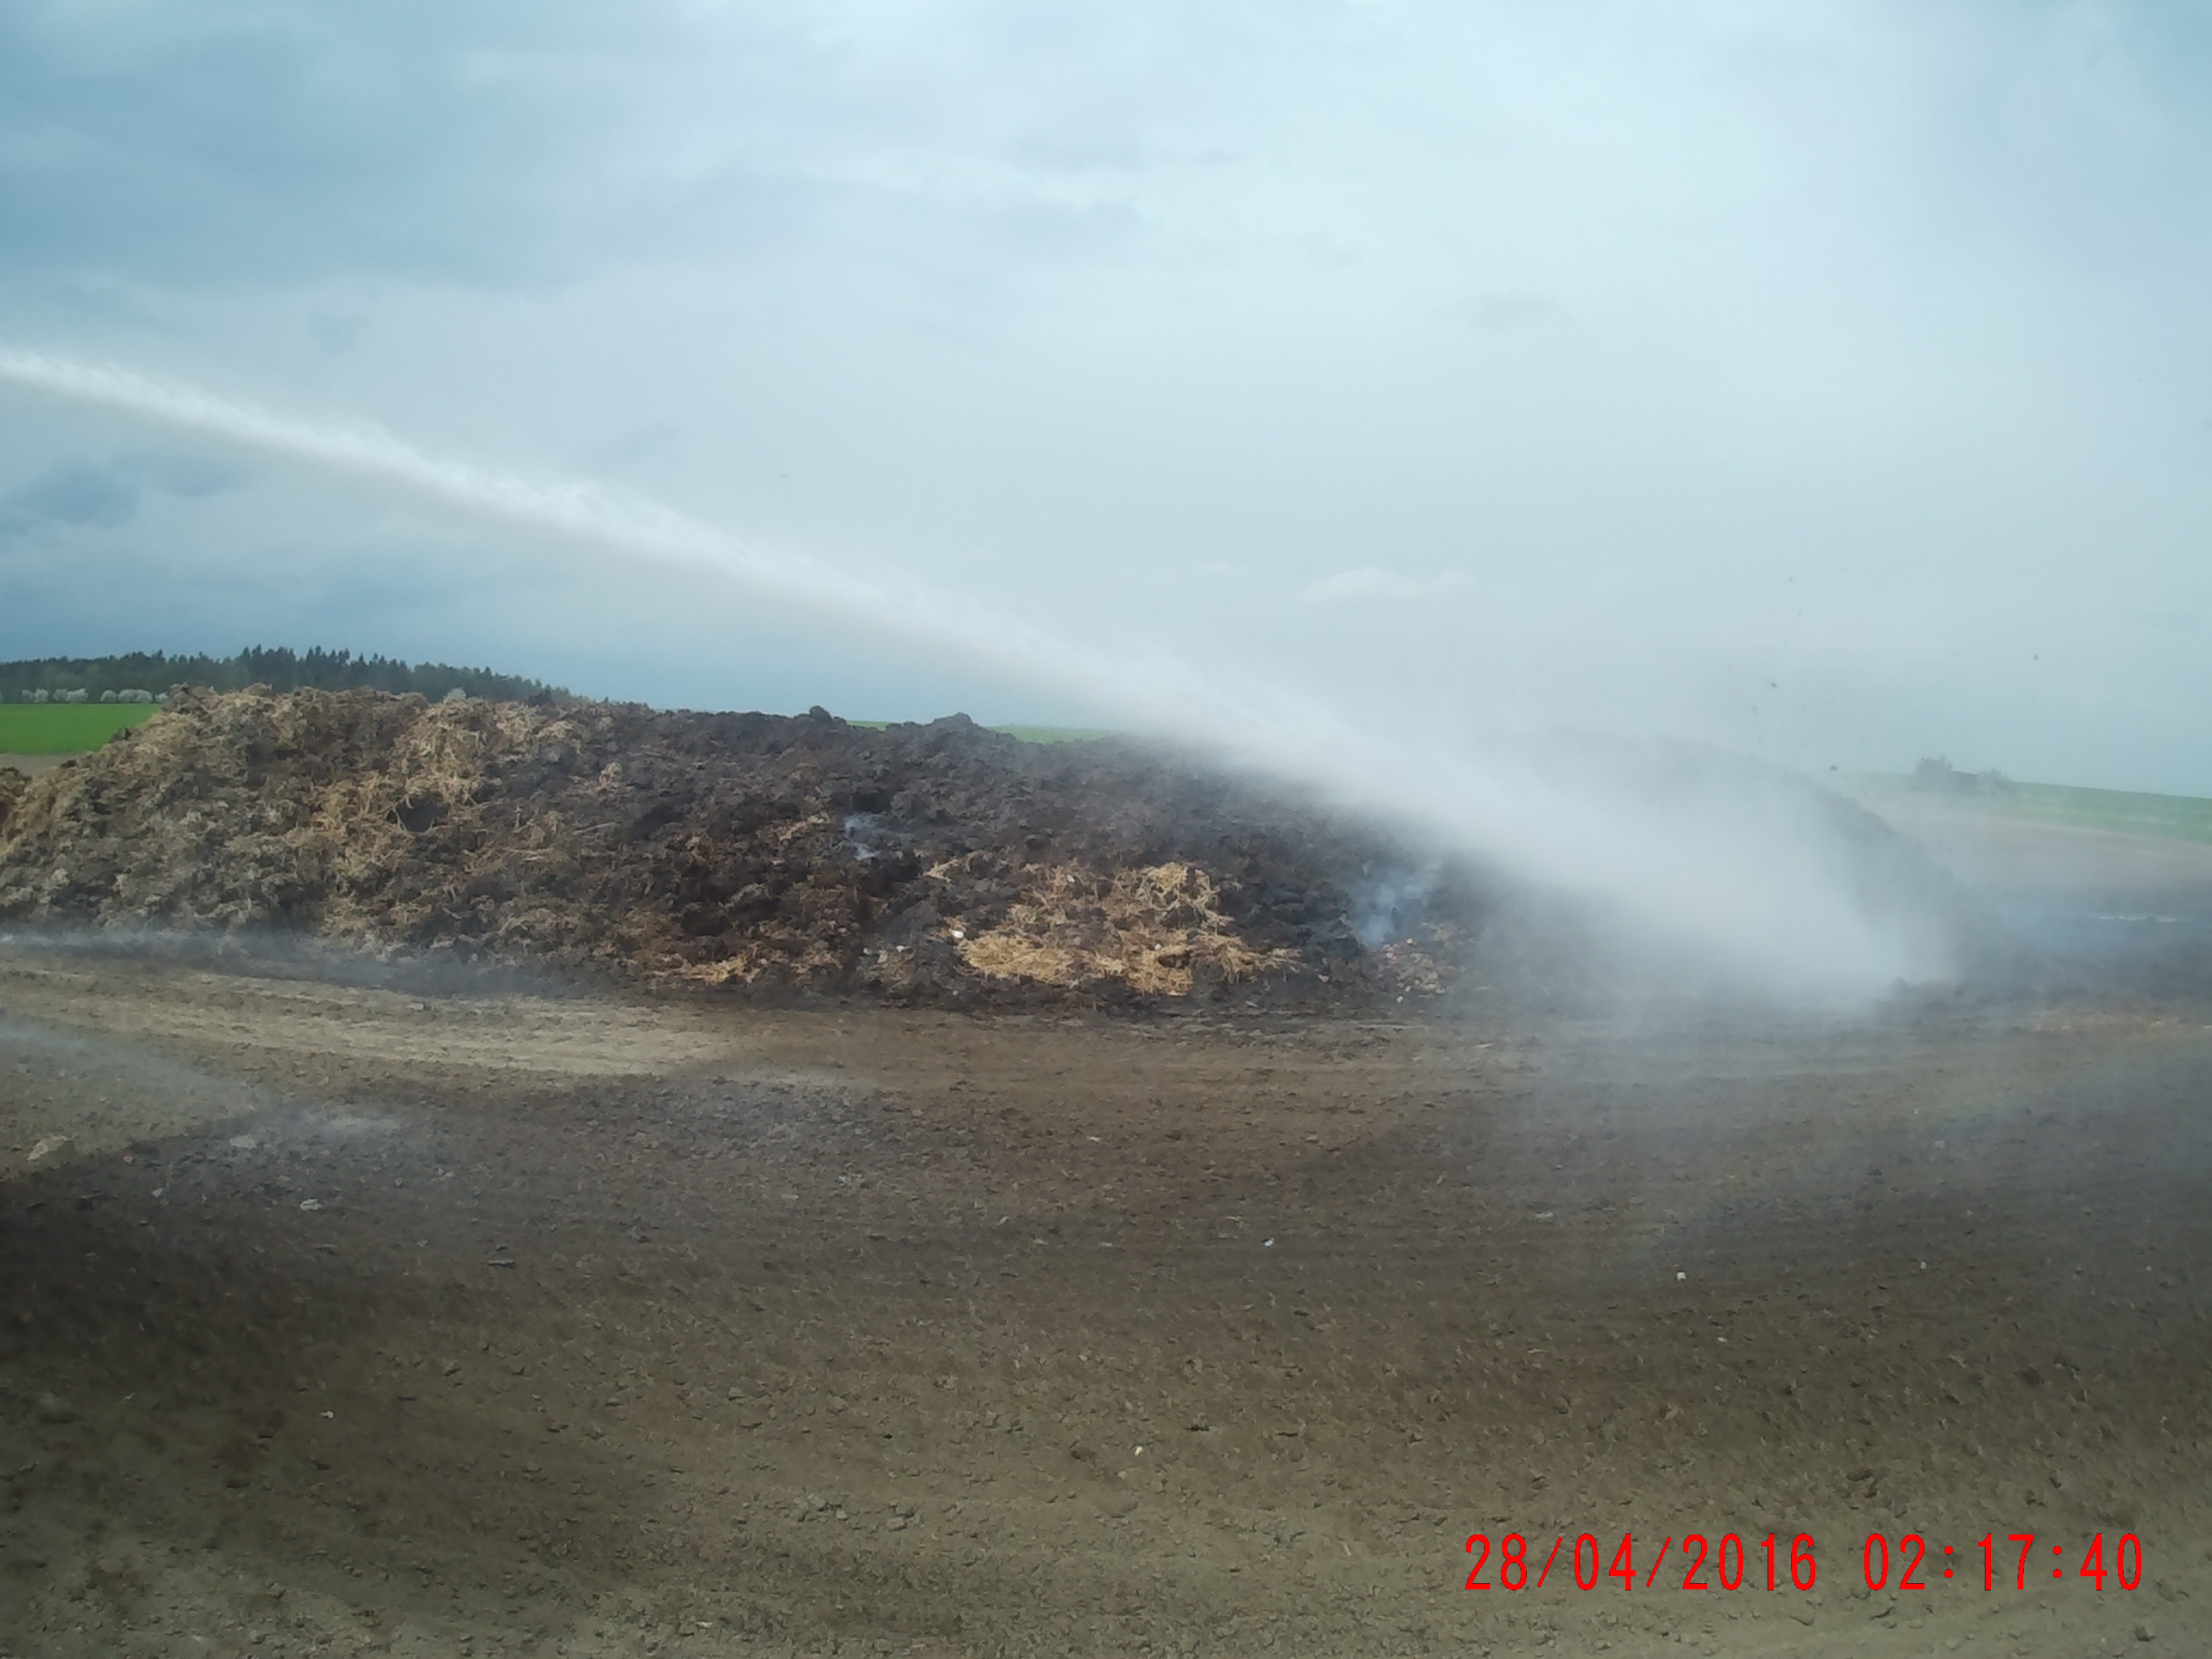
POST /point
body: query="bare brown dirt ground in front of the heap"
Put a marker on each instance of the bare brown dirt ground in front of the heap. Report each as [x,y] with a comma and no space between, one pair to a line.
[362,1319]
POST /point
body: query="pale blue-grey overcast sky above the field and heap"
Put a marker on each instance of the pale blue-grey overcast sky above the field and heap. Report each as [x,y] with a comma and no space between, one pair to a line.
[1830,382]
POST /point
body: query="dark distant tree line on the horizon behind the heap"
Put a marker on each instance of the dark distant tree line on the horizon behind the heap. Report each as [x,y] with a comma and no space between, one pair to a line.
[275,667]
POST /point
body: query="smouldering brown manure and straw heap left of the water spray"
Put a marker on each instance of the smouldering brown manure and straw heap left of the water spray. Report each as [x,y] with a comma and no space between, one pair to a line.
[778,853]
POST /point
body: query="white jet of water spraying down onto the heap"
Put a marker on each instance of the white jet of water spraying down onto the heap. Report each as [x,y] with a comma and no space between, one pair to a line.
[1751,873]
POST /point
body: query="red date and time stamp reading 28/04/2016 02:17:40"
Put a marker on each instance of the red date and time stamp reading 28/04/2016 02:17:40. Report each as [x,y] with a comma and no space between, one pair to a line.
[2010,1561]
